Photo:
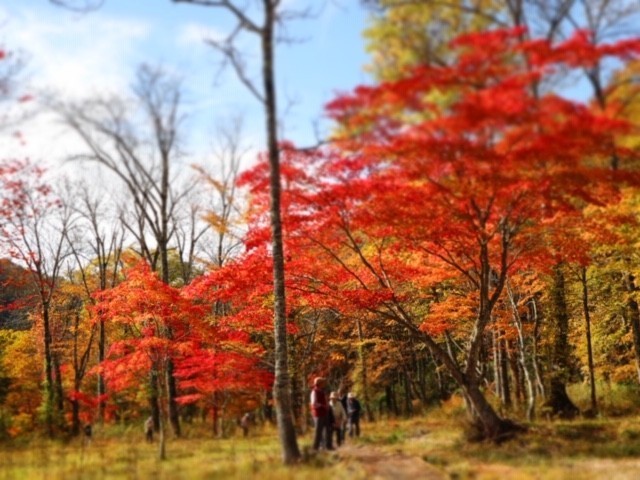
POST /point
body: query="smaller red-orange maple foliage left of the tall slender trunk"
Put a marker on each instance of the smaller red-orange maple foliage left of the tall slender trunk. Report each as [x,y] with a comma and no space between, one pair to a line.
[165,323]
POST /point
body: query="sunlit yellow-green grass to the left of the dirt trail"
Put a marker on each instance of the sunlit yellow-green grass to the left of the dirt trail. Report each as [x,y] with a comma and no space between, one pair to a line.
[114,453]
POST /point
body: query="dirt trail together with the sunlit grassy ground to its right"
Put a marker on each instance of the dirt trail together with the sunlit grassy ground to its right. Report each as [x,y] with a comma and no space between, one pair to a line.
[601,449]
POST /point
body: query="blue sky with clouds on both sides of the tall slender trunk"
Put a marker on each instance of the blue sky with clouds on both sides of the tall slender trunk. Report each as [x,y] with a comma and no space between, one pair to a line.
[80,55]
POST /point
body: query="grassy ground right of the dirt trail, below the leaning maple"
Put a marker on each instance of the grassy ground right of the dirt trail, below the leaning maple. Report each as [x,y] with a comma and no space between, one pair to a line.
[576,450]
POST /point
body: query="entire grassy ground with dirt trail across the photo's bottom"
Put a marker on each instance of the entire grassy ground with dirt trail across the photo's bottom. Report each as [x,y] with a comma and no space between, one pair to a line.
[581,449]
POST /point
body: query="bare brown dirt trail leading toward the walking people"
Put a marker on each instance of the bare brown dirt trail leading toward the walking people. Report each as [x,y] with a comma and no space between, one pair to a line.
[381,465]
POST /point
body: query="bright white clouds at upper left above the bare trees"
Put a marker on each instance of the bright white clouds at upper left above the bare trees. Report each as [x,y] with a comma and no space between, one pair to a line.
[70,56]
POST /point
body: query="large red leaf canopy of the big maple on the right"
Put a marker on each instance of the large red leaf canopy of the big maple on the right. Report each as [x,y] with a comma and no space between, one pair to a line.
[439,169]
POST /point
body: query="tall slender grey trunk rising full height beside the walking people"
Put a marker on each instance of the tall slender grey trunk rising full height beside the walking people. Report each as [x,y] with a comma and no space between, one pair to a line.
[282,381]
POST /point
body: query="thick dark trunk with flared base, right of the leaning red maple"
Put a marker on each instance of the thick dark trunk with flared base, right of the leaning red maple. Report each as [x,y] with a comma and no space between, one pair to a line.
[559,402]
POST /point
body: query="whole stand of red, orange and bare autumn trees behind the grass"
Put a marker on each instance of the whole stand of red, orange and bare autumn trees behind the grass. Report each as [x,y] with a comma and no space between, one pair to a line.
[467,232]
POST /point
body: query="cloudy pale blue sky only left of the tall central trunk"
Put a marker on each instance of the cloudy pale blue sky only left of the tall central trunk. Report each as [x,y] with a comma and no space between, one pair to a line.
[79,56]
